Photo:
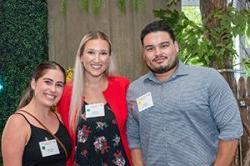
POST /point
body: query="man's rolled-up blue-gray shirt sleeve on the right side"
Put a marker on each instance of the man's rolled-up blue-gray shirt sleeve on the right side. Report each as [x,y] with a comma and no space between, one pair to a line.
[224,108]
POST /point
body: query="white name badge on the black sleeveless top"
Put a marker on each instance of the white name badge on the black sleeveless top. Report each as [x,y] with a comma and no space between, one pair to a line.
[49,148]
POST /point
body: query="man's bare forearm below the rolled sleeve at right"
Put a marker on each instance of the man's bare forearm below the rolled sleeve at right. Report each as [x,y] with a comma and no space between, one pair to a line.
[226,152]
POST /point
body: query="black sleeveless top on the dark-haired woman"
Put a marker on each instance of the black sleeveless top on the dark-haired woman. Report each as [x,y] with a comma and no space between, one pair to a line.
[32,154]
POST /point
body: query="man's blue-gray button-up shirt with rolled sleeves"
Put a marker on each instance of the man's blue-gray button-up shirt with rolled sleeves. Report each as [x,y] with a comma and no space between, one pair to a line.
[191,111]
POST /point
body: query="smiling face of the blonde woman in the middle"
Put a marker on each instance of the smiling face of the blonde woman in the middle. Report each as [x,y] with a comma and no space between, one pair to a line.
[96,57]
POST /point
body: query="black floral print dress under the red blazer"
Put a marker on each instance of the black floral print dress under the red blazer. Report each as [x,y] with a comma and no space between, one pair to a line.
[98,141]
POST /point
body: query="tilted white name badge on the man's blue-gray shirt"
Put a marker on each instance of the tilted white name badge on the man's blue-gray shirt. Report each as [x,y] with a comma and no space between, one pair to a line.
[145,101]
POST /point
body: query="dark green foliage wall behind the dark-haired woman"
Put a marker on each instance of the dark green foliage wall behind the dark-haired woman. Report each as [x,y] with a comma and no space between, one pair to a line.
[23,44]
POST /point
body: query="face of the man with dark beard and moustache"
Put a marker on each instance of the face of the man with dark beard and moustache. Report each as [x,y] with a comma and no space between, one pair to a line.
[160,52]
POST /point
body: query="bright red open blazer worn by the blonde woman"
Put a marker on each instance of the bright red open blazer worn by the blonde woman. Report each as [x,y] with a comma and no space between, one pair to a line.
[115,95]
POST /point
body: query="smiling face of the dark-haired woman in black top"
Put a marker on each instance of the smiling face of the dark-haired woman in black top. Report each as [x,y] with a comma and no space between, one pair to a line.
[48,89]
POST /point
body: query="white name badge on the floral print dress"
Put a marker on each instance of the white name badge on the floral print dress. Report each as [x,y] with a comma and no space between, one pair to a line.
[94,110]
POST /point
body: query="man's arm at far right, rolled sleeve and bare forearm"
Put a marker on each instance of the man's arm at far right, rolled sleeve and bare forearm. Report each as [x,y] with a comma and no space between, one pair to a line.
[225,111]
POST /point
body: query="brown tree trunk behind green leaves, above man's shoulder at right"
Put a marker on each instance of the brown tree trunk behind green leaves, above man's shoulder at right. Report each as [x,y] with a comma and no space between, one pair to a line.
[225,62]
